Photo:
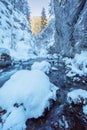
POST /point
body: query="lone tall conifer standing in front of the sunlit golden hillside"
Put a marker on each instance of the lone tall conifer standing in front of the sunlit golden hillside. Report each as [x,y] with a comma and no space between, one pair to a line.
[43,19]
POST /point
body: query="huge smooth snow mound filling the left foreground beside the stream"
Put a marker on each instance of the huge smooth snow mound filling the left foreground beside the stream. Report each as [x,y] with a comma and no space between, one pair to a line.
[25,95]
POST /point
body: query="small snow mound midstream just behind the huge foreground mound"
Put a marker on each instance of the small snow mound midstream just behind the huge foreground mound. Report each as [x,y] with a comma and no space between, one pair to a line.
[43,66]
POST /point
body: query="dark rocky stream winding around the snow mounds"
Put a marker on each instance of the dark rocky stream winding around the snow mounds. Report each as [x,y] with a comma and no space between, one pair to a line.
[60,116]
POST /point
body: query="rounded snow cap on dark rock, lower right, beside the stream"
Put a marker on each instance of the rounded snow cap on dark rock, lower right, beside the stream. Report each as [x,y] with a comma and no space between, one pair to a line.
[77,96]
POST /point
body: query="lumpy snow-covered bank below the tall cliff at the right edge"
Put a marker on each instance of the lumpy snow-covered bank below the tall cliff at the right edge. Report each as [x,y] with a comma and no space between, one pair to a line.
[77,65]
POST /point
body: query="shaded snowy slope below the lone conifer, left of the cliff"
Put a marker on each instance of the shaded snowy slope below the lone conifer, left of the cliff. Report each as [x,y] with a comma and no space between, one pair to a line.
[46,39]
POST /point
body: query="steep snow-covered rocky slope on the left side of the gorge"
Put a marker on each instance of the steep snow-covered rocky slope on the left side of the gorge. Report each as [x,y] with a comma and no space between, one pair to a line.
[15,32]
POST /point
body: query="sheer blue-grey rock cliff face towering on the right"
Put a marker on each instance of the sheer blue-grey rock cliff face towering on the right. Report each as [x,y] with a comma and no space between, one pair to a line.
[71,26]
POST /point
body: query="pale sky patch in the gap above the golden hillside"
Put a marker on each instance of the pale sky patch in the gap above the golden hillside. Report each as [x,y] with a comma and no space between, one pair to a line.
[37,5]
